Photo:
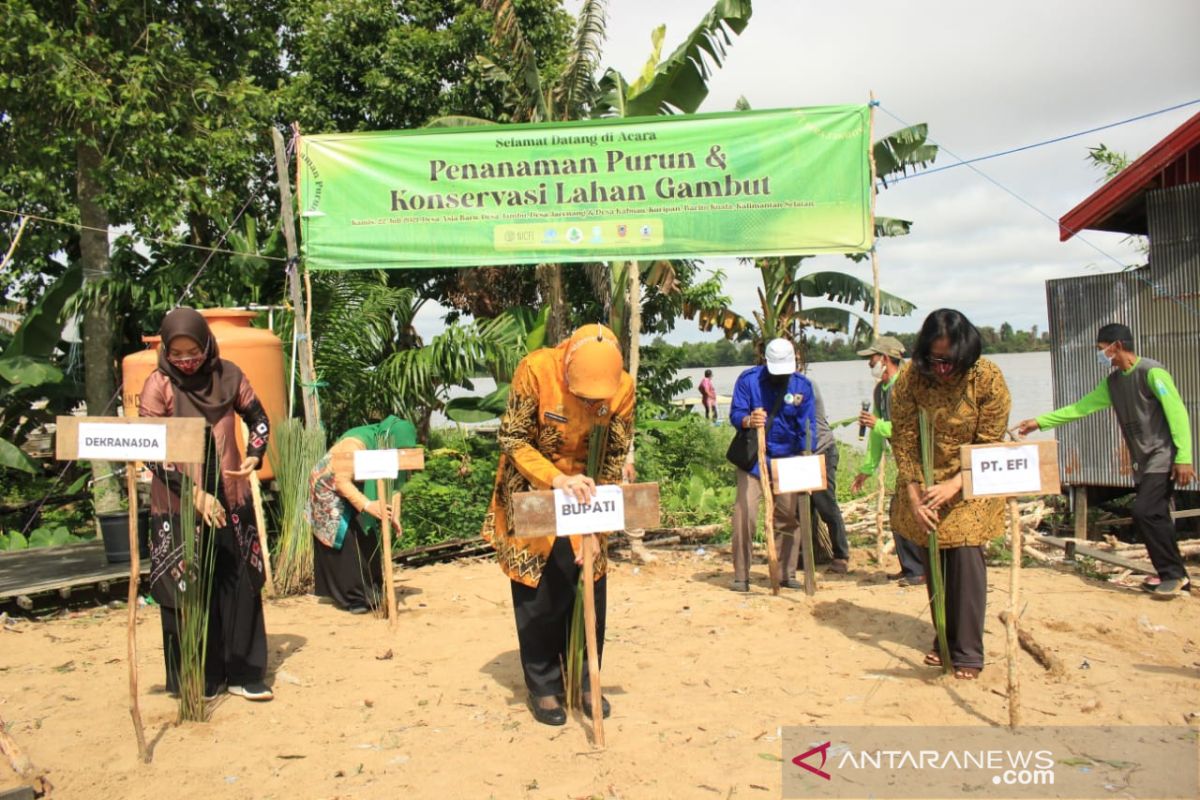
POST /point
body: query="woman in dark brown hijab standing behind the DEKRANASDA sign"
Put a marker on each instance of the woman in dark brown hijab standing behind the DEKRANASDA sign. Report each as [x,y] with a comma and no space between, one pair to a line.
[193,380]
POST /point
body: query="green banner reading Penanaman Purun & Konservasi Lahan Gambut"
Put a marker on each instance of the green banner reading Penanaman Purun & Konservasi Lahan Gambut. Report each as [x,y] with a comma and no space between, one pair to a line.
[778,183]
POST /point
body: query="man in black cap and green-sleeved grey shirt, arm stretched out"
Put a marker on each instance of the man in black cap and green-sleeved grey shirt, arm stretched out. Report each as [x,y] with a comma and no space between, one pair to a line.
[1156,431]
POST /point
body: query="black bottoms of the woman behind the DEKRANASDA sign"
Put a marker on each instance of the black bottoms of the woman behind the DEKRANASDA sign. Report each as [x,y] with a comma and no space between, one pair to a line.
[236,653]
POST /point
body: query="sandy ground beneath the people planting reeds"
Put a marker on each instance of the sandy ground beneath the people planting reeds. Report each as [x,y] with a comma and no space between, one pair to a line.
[701,681]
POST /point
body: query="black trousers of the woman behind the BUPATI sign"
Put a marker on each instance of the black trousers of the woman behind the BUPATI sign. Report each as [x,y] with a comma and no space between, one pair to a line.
[544,616]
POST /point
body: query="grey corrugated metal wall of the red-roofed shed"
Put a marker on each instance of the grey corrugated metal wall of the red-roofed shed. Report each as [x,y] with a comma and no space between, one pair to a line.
[1161,304]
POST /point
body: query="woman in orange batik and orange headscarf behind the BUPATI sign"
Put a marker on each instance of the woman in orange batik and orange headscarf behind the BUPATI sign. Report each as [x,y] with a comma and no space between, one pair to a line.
[557,396]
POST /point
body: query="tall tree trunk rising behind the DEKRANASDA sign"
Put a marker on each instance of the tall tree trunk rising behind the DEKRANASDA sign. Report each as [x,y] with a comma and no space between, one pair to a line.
[100,378]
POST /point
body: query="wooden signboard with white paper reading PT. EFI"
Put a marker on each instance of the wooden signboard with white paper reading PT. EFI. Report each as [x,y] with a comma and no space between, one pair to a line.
[1010,470]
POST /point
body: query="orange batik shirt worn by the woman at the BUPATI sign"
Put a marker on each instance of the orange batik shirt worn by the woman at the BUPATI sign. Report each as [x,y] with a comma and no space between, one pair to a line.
[544,434]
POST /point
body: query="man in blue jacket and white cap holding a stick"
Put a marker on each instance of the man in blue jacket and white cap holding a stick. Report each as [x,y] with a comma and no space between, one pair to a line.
[778,398]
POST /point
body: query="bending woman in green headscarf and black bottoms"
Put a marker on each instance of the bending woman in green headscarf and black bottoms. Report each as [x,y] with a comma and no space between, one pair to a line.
[346,521]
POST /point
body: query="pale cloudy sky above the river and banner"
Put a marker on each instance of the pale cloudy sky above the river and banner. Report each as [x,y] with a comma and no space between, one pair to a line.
[986,77]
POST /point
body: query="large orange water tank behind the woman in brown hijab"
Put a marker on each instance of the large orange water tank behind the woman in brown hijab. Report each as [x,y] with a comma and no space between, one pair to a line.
[259,352]
